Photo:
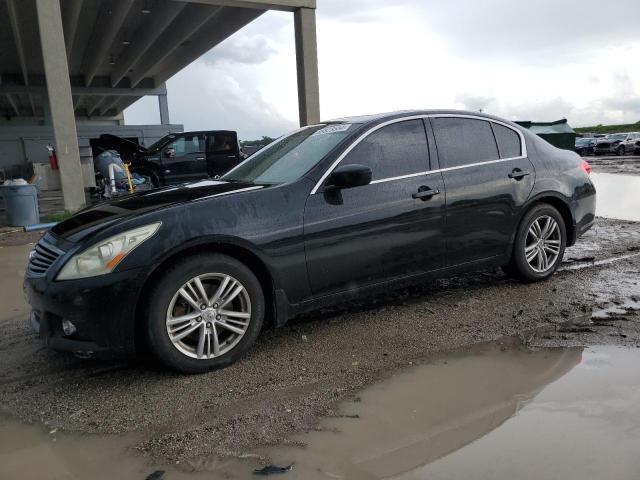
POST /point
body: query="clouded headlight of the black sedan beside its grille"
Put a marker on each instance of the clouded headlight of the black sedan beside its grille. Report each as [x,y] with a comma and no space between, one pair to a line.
[103,257]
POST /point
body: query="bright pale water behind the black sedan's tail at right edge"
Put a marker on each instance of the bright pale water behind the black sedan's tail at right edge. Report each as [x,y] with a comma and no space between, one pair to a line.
[618,196]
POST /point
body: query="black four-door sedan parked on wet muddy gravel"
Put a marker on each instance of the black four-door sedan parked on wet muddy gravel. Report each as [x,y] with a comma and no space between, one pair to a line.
[191,273]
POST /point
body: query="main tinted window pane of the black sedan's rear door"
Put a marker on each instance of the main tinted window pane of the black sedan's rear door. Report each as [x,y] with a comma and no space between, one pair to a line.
[463,141]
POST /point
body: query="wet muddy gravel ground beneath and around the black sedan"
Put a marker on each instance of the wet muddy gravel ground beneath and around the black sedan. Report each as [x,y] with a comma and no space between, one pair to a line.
[298,373]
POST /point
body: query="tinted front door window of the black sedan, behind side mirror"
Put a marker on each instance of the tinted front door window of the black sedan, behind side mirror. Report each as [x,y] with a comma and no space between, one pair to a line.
[395,150]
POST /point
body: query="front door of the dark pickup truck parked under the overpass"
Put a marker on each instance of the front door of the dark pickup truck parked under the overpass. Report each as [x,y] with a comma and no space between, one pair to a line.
[184,159]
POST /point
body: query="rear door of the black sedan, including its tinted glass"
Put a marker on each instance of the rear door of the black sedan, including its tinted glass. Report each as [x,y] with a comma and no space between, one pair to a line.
[488,178]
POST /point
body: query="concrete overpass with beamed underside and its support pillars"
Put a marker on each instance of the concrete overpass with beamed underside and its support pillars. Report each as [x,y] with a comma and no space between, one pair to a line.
[66,59]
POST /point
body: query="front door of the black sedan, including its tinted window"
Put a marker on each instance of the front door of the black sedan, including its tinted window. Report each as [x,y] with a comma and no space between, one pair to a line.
[389,228]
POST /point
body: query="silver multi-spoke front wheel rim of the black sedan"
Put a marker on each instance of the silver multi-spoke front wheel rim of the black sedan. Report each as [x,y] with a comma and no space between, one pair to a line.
[208,315]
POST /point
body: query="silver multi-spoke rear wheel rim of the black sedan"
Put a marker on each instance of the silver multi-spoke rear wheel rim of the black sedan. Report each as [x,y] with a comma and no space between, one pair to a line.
[543,243]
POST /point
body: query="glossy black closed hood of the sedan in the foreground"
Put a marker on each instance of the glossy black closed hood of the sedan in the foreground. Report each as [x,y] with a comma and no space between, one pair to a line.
[93,219]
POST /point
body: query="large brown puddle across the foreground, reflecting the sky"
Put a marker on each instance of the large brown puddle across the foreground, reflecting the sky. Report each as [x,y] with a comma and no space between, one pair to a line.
[498,411]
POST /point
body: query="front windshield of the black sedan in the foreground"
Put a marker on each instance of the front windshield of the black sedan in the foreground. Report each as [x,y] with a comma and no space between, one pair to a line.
[291,156]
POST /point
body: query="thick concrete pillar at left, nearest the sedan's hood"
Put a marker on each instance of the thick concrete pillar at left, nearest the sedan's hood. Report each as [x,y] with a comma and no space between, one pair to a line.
[60,102]
